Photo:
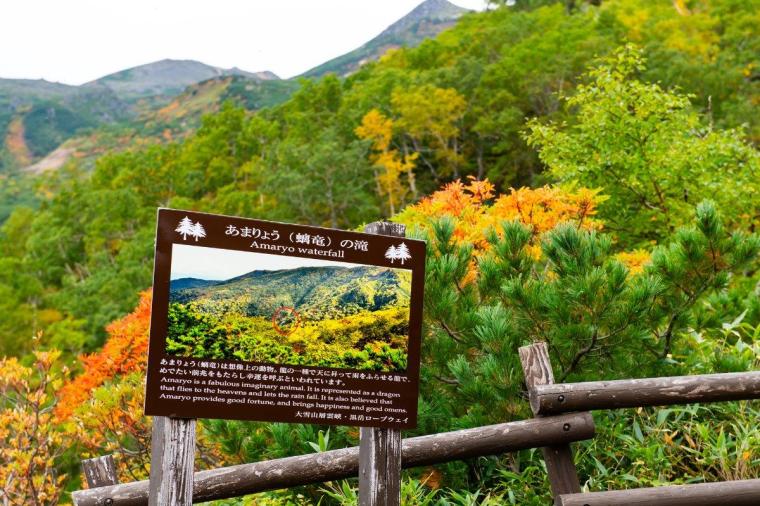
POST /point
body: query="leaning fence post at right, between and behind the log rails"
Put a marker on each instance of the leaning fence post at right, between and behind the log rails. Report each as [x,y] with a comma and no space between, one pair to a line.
[537,368]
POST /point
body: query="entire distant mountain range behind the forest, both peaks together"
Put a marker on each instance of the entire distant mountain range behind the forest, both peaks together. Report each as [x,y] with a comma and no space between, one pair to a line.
[43,125]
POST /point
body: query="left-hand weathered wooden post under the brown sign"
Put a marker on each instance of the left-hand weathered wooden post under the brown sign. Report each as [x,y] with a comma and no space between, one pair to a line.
[171,461]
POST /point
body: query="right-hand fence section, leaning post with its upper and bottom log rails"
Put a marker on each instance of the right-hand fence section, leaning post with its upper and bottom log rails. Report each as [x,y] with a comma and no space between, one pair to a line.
[546,398]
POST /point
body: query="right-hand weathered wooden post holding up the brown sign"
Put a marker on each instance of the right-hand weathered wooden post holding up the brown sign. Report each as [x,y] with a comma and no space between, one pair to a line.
[380,449]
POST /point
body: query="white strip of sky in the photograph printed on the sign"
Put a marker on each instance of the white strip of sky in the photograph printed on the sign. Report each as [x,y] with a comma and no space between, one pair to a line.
[221,264]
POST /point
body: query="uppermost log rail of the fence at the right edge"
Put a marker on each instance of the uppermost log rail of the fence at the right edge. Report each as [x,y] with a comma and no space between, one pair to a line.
[565,397]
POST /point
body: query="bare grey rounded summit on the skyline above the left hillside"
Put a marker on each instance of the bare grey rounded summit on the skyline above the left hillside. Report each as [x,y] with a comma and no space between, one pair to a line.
[167,78]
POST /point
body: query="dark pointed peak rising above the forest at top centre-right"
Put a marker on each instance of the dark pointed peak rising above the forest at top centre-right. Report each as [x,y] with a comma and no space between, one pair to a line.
[426,20]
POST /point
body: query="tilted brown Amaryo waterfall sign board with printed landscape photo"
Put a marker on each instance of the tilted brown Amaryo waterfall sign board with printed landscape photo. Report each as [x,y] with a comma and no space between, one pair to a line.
[257,320]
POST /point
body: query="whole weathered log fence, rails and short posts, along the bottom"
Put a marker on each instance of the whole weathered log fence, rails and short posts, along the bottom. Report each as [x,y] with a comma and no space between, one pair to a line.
[560,420]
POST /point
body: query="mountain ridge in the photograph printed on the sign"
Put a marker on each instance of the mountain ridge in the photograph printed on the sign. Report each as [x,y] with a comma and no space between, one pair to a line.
[315,292]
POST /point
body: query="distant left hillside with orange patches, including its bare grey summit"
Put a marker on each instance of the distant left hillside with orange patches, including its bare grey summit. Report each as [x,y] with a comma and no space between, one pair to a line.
[37,117]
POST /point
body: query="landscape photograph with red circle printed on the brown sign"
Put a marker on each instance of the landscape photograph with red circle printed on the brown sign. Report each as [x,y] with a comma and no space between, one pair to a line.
[258,307]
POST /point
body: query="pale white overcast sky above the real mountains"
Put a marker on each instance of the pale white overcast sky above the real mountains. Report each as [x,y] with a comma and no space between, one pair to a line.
[76,41]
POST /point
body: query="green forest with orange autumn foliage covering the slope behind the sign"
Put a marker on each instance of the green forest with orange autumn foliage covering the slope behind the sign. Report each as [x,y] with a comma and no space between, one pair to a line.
[584,173]
